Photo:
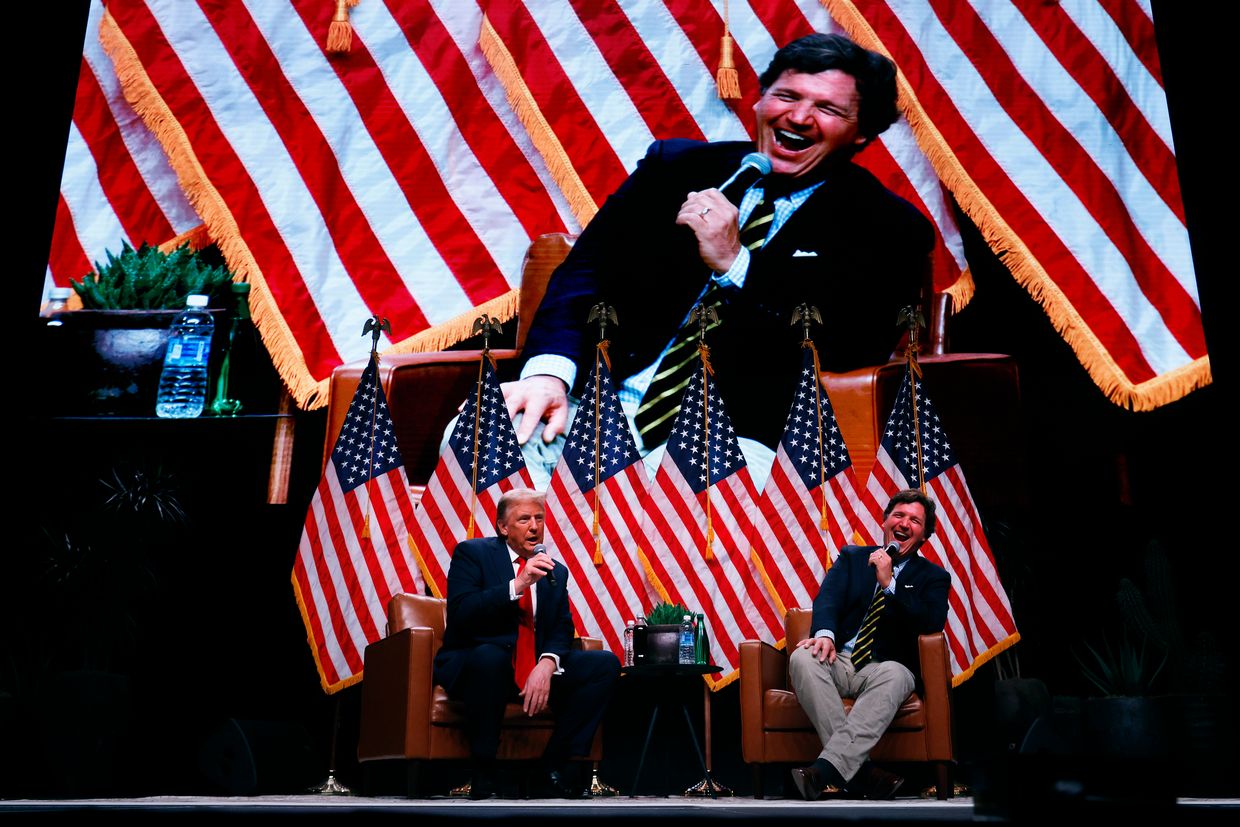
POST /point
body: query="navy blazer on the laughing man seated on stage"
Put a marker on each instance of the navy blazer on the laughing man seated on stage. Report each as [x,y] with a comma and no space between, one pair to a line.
[919,606]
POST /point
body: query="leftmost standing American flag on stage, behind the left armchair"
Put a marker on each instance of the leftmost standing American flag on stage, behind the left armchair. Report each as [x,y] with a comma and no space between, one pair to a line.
[353,556]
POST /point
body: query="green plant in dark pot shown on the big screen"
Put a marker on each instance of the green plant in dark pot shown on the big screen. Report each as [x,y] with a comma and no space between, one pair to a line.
[113,349]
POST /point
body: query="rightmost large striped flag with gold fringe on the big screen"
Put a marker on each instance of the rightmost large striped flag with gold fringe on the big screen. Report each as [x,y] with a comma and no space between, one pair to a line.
[1051,123]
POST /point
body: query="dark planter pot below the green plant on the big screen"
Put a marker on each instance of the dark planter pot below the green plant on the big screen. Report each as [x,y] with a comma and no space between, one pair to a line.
[108,361]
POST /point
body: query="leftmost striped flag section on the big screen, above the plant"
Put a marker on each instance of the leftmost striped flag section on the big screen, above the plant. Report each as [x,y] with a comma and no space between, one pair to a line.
[116,184]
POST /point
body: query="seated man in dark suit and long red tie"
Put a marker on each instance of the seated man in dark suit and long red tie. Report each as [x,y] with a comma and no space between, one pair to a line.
[509,635]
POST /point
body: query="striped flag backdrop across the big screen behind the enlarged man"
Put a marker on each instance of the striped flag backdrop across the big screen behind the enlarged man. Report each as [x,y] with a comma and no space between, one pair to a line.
[407,175]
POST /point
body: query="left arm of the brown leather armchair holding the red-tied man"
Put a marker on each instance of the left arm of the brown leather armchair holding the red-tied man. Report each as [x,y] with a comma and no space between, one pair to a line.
[397,692]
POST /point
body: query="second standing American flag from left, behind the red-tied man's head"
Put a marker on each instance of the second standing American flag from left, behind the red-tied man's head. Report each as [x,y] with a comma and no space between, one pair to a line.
[479,464]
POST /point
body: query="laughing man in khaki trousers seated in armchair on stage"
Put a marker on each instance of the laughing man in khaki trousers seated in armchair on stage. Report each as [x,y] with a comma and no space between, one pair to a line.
[871,609]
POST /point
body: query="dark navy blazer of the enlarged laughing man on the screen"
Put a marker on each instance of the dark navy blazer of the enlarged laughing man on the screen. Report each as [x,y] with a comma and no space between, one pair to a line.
[854,250]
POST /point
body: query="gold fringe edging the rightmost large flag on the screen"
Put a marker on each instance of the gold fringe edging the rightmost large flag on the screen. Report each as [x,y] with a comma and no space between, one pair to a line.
[1016,256]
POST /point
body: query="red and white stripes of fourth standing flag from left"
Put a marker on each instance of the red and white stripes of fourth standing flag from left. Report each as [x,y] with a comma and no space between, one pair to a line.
[728,588]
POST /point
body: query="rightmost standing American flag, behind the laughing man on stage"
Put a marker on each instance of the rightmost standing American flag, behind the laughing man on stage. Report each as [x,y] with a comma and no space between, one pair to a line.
[980,623]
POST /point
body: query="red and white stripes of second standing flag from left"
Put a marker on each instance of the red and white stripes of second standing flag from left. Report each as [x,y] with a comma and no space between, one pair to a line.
[443,516]
